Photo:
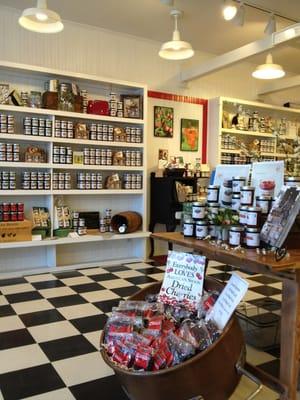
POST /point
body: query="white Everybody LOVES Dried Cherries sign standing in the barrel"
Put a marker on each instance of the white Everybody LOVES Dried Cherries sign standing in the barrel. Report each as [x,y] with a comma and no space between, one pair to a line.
[183,280]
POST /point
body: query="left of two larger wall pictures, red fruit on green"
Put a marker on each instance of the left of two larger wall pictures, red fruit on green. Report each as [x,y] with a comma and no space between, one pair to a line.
[163,122]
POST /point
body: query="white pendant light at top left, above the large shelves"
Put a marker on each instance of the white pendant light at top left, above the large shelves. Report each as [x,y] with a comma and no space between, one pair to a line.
[41,19]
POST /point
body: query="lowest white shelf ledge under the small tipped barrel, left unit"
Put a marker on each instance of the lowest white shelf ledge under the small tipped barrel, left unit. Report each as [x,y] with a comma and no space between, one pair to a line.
[97,237]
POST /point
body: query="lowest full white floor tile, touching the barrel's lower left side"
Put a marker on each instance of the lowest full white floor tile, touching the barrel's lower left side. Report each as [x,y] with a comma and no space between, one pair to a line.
[81,369]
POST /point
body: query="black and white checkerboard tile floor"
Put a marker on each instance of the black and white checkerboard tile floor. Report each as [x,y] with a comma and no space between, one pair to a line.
[50,326]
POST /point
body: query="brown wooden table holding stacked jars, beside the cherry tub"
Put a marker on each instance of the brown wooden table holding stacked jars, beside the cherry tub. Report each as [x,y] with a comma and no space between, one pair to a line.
[288,270]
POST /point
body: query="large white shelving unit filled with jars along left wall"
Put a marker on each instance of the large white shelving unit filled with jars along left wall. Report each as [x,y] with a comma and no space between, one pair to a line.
[92,248]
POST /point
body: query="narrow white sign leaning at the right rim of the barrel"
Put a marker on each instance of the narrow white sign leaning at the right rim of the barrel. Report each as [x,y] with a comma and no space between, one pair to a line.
[228,300]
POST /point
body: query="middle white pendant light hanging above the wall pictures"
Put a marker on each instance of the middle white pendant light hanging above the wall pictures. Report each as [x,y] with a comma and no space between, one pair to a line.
[176,49]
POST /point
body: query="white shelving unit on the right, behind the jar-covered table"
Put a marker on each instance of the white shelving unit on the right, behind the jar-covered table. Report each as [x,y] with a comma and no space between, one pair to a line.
[217,131]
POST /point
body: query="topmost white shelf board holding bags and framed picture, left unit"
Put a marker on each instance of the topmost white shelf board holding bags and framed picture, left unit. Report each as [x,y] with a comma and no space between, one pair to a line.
[70,114]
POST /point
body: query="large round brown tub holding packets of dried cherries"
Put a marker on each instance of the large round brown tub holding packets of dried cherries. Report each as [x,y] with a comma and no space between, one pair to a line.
[211,374]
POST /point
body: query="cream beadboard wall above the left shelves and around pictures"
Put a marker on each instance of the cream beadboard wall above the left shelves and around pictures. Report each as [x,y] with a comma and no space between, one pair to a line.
[87,49]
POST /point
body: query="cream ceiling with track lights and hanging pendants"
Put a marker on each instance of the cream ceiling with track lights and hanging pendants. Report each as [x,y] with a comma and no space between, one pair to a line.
[202,24]
